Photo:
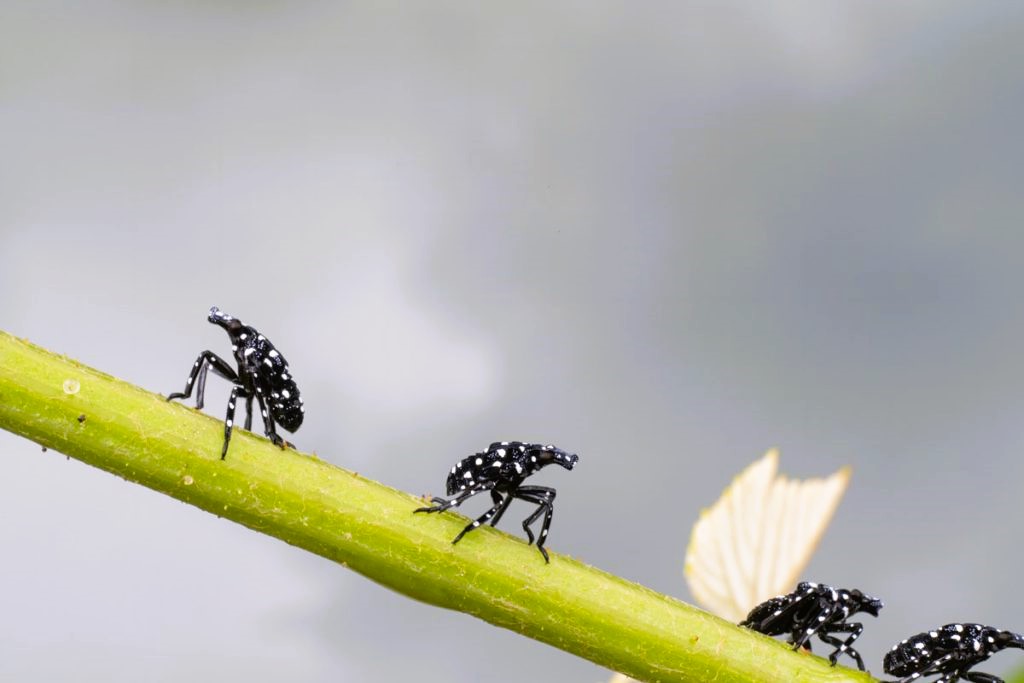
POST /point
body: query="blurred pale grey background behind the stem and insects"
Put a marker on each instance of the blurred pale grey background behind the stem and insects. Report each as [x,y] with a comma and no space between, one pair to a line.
[664,237]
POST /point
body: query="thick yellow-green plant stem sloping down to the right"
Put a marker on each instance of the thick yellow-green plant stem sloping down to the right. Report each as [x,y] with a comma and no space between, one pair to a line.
[370,529]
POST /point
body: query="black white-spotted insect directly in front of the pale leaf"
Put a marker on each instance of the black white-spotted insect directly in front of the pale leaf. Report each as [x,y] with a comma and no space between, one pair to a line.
[816,610]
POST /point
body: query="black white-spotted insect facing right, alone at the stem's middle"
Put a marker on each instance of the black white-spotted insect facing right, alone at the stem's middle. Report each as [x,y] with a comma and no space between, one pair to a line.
[502,469]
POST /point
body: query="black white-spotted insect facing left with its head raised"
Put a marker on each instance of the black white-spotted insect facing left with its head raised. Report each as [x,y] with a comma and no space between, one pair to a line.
[263,374]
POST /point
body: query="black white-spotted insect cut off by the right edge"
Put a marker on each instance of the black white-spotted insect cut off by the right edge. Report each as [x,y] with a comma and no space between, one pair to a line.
[950,652]
